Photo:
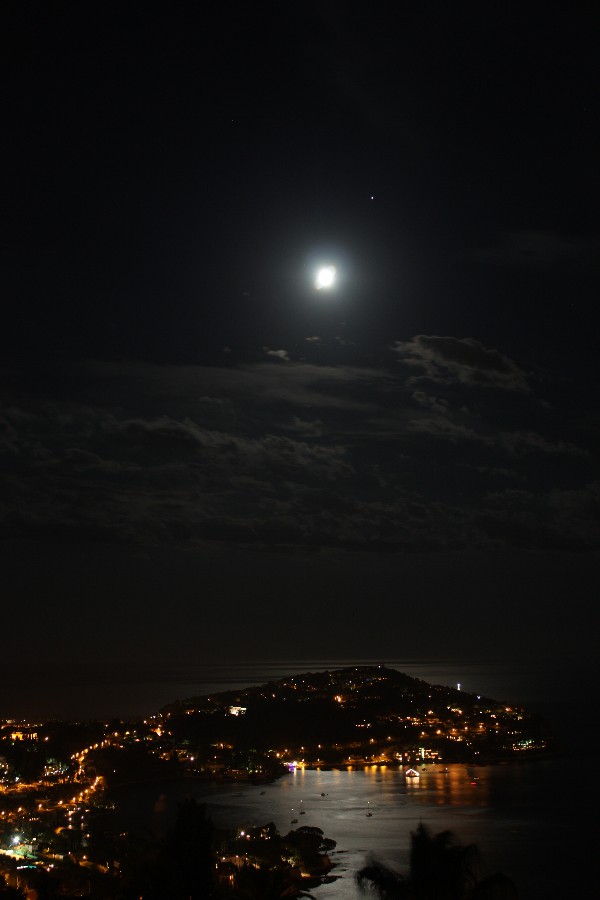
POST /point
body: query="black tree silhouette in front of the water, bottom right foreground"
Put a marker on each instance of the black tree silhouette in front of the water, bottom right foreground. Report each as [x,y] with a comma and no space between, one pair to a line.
[440,869]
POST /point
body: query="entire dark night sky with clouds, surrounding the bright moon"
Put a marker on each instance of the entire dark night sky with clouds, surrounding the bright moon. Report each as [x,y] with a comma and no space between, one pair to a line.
[204,457]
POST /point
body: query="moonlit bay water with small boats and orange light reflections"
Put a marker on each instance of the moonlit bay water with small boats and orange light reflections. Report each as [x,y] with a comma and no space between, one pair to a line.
[523,817]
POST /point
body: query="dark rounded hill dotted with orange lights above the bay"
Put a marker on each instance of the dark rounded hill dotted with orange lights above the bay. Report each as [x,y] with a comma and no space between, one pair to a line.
[346,707]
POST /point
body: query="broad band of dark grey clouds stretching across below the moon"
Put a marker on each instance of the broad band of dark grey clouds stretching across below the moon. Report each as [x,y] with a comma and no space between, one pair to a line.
[298,456]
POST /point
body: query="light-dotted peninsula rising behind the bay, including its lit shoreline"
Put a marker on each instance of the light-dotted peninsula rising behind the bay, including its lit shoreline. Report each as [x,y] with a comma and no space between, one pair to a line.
[356,716]
